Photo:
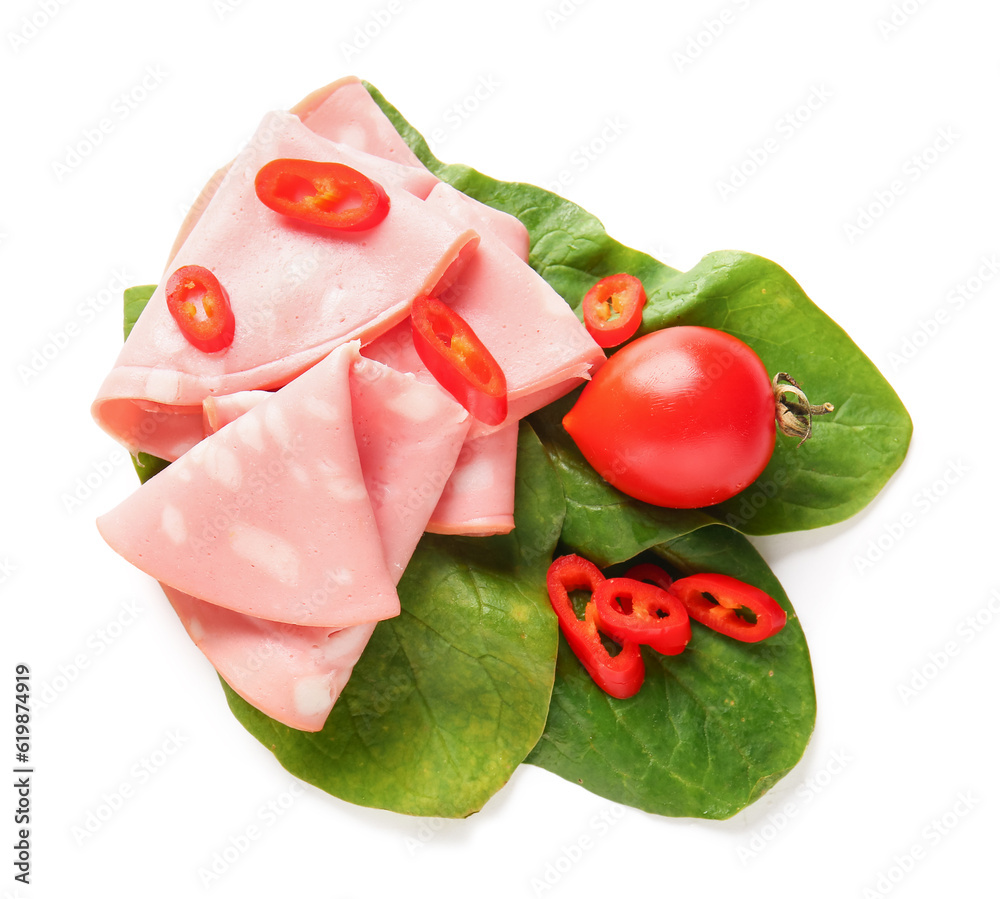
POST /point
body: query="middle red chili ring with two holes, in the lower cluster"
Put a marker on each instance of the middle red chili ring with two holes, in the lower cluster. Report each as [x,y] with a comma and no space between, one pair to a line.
[636,610]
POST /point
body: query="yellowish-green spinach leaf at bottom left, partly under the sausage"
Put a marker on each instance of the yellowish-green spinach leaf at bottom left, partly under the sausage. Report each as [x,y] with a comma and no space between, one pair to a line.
[449,697]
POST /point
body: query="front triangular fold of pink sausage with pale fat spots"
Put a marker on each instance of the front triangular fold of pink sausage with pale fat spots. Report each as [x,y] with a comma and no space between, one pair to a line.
[271,515]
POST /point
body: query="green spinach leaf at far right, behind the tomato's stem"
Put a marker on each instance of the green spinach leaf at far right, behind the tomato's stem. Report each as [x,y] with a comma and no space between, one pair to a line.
[852,451]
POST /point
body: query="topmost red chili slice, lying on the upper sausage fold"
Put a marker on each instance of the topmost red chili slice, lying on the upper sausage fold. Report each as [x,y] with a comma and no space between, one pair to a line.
[326,194]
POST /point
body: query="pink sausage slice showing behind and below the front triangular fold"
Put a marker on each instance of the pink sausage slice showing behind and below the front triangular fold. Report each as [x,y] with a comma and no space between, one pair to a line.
[408,434]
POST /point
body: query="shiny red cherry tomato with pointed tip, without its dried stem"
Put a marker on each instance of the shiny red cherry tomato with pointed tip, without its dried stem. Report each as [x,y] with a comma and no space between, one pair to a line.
[683,418]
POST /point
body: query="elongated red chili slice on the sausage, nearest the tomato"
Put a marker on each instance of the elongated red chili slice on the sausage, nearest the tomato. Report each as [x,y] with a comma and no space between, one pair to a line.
[459,361]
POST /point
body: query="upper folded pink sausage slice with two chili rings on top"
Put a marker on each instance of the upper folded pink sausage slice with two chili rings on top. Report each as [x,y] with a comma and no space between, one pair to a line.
[296,292]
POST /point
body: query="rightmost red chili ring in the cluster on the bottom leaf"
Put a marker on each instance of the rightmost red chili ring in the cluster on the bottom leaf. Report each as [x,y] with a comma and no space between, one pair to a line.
[698,591]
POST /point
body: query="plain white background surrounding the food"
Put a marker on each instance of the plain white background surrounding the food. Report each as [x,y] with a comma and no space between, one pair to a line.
[897,793]
